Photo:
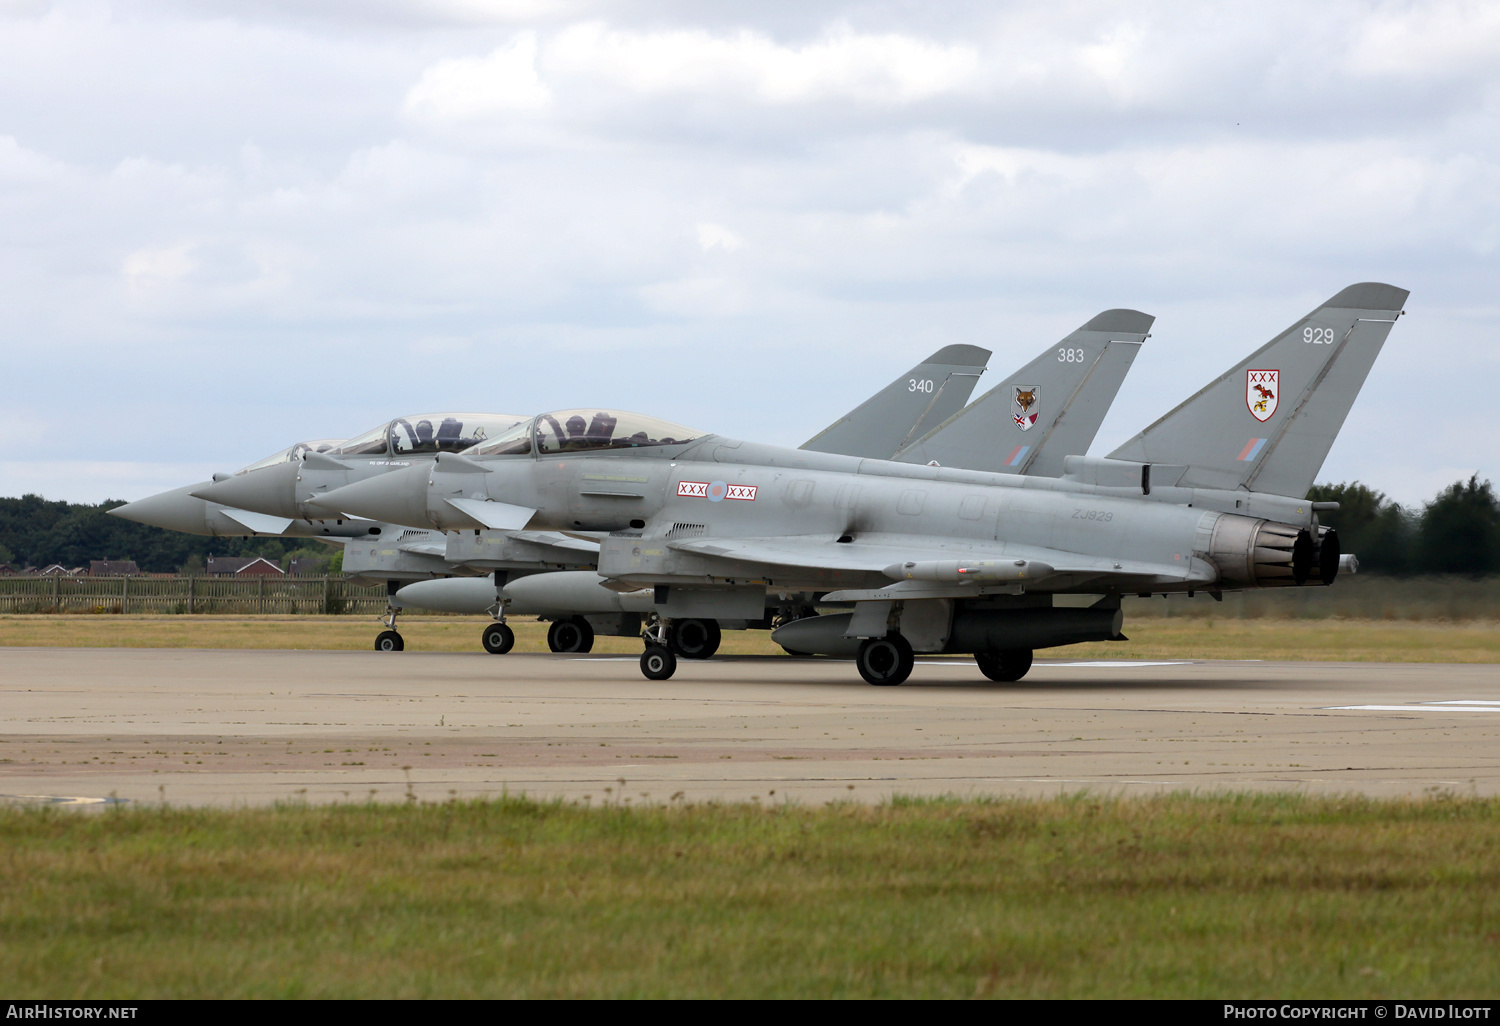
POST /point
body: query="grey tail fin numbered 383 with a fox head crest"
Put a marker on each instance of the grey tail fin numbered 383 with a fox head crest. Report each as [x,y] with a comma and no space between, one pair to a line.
[1048,410]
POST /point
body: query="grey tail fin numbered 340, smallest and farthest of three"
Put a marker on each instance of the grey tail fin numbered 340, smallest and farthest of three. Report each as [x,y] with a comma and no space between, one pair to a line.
[907,409]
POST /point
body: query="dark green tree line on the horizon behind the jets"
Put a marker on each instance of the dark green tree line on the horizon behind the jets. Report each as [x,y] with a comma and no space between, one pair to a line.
[1459,532]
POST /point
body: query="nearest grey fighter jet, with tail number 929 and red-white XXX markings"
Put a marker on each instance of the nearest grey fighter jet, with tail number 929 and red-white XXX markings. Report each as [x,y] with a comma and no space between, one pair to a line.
[932,559]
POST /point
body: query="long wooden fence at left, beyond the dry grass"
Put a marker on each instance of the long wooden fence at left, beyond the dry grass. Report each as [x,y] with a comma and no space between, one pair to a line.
[190,596]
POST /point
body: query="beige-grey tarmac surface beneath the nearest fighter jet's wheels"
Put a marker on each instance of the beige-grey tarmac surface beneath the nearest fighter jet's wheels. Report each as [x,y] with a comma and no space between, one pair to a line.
[239,728]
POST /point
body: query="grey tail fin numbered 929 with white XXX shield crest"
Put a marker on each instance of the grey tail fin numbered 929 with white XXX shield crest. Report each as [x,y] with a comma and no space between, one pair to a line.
[1268,422]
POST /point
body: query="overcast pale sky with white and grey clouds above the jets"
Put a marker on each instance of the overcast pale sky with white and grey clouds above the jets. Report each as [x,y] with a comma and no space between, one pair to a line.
[227,227]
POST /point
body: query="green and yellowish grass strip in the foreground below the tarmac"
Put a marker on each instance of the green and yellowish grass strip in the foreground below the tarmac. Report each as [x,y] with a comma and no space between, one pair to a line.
[1232,896]
